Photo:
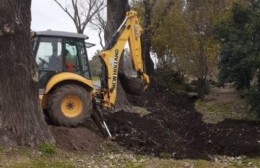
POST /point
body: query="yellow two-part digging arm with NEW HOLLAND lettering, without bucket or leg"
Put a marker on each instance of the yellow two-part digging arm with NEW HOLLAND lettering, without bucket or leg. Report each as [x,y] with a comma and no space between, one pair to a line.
[129,31]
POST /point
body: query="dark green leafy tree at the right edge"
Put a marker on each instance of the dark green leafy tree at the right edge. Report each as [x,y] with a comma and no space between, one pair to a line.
[240,49]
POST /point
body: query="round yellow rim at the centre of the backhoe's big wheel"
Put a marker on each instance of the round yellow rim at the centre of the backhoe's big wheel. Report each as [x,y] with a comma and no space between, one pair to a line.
[71,106]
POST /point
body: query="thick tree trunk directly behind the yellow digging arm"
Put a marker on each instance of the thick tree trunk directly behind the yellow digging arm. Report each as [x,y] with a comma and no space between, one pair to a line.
[116,12]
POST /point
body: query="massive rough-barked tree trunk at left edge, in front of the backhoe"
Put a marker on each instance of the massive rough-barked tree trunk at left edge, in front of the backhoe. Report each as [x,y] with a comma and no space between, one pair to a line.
[21,118]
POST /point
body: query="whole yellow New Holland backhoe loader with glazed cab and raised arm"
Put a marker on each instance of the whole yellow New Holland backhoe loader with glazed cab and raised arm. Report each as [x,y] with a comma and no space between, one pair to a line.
[65,86]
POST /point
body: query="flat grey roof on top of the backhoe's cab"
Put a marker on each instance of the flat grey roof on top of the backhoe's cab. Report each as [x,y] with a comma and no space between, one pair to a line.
[61,34]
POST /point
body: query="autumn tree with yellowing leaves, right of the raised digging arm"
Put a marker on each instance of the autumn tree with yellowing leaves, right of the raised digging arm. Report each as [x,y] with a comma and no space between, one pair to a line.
[185,42]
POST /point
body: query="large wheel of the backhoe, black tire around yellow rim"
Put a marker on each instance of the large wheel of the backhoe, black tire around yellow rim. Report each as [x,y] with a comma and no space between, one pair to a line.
[62,94]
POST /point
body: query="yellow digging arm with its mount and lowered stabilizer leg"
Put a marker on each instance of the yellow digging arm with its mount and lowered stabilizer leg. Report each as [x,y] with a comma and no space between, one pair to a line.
[129,31]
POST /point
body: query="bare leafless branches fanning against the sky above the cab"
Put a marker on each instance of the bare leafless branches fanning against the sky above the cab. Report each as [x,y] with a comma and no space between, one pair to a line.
[81,12]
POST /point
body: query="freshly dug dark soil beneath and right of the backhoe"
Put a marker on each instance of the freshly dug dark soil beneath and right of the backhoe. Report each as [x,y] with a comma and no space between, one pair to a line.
[173,128]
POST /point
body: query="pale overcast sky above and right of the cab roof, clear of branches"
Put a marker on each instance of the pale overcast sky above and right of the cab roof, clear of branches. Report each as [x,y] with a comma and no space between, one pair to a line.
[46,14]
